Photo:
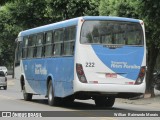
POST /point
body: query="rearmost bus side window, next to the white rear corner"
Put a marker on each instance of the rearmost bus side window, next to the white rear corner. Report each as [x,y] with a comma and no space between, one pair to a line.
[69,41]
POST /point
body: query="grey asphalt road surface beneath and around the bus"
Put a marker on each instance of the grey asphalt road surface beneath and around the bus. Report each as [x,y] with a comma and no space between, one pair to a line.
[12,100]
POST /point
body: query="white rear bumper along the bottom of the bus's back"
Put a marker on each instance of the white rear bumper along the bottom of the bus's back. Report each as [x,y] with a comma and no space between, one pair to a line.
[109,89]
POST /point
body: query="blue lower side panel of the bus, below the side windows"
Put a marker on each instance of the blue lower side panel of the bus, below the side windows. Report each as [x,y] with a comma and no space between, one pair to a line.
[61,69]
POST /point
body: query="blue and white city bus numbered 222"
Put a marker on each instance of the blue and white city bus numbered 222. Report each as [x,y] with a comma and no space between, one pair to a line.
[91,57]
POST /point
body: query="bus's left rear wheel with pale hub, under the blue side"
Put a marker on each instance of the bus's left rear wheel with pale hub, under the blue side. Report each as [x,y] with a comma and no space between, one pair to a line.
[52,100]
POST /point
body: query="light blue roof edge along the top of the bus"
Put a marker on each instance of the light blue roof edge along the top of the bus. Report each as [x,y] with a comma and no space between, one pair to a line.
[72,22]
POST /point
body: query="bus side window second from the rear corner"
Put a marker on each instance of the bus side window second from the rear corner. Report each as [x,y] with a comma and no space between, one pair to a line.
[58,42]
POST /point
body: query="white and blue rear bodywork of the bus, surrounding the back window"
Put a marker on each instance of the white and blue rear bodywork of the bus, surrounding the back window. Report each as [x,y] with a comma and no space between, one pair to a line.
[123,64]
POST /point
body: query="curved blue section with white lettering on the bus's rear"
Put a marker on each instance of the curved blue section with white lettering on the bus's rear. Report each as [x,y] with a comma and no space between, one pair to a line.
[125,61]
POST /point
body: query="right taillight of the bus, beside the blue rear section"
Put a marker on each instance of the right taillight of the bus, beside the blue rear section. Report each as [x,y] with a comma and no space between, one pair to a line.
[141,75]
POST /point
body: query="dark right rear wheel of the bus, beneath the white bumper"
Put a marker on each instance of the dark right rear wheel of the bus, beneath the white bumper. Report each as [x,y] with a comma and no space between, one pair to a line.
[104,102]
